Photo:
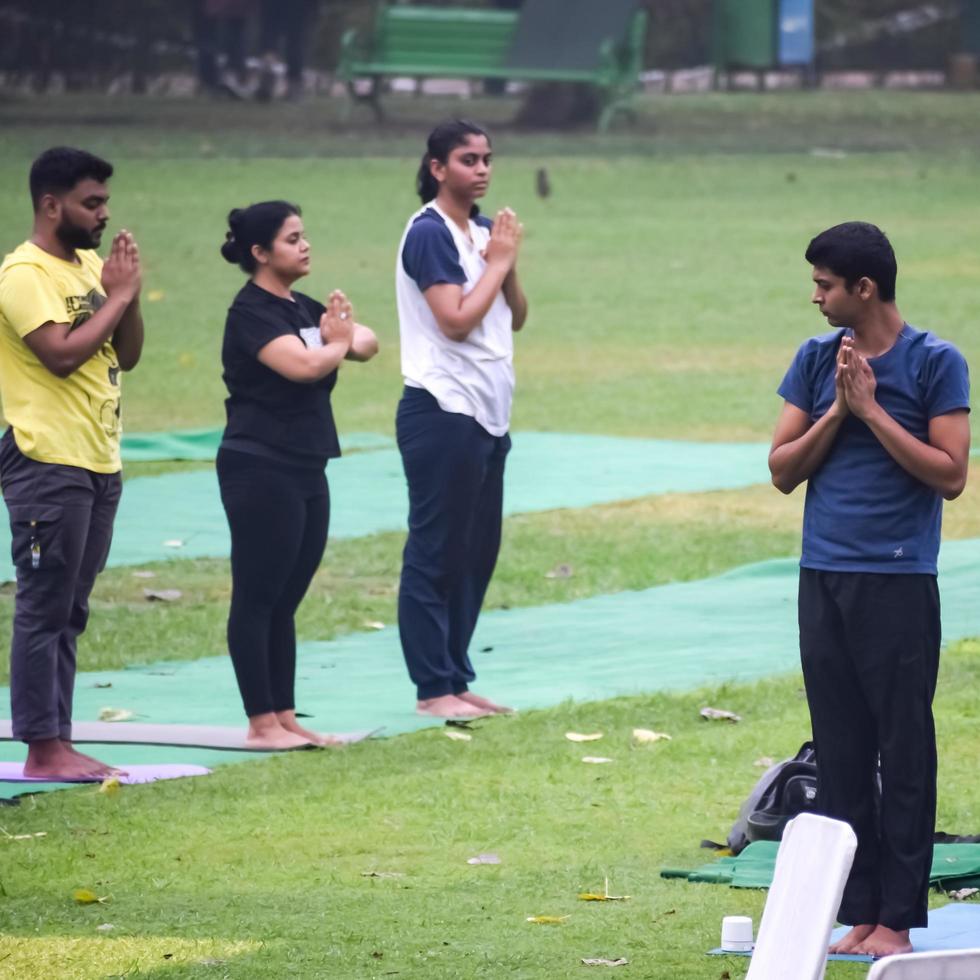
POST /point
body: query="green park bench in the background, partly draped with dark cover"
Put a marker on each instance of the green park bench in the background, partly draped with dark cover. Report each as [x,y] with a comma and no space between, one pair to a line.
[597,42]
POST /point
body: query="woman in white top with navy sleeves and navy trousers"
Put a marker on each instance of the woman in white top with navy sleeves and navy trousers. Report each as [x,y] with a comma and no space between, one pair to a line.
[459,303]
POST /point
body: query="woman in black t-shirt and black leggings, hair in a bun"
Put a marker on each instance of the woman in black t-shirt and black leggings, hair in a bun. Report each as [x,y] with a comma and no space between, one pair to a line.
[280,355]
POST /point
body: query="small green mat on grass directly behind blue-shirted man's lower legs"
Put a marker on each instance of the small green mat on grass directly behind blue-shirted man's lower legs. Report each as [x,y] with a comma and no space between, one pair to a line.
[953,866]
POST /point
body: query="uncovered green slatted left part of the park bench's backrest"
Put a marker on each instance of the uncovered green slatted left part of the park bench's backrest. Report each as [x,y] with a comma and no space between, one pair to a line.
[447,37]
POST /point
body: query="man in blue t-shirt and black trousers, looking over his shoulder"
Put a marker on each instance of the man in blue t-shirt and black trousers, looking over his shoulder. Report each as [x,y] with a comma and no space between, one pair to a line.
[875,422]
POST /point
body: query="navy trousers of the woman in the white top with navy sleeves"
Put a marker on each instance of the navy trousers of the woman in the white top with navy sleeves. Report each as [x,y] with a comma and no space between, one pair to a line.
[455,473]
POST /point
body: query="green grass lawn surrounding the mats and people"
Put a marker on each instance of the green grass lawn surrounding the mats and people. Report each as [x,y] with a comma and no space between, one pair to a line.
[668,293]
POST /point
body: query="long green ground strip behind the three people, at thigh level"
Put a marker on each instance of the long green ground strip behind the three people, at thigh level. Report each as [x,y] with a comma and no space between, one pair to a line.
[179,515]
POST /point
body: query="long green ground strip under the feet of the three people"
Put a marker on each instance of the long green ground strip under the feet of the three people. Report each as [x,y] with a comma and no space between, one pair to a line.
[735,627]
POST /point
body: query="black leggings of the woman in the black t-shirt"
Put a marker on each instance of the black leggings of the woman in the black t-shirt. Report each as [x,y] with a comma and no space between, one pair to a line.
[278,517]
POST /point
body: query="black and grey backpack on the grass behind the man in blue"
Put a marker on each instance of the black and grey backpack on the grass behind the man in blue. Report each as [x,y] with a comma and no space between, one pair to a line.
[784,791]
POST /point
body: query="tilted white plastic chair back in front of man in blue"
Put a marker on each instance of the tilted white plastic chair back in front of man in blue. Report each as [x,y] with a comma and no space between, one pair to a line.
[812,866]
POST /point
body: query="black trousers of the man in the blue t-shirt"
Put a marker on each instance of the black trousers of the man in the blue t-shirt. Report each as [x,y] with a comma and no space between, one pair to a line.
[869,645]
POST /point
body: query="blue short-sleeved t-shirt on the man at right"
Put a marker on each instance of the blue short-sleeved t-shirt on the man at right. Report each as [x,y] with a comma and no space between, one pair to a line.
[863,512]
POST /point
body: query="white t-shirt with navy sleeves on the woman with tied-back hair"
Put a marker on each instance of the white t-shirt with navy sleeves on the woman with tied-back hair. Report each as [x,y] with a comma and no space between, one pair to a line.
[474,376]
